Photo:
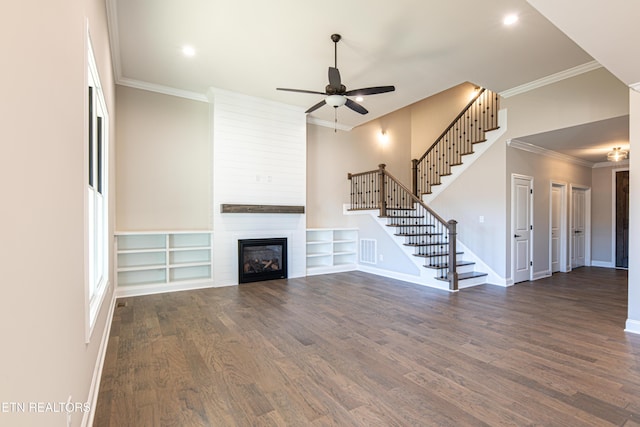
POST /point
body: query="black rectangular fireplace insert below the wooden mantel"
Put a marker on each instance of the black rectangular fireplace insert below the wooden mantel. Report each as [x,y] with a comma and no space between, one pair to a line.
[262,259]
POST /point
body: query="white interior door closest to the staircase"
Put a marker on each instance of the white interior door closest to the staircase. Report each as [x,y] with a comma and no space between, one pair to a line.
[522,224]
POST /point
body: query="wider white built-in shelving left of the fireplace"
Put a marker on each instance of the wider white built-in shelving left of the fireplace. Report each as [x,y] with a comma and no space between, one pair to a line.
[161,261]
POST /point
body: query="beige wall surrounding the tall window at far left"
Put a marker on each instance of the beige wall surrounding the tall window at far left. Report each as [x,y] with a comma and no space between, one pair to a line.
[44,356]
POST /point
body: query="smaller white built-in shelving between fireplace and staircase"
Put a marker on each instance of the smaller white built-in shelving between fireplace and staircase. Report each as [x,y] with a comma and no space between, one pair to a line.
[331,250]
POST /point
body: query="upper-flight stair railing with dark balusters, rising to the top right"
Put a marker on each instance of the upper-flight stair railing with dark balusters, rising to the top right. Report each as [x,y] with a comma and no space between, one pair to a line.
[469,127]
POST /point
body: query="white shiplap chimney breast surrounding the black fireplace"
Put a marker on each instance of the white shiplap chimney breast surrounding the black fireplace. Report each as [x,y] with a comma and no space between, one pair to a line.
[259,157]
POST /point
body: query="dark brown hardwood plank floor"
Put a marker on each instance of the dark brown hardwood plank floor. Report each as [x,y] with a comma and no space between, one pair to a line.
[353,349]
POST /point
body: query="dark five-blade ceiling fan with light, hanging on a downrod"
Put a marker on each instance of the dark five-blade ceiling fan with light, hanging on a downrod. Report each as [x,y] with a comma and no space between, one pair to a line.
[337,93]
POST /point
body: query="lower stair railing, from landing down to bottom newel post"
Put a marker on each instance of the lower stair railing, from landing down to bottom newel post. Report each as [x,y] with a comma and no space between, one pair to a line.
[378,189]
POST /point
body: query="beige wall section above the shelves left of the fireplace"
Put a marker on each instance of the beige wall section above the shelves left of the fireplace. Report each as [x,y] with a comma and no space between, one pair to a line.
[164,162]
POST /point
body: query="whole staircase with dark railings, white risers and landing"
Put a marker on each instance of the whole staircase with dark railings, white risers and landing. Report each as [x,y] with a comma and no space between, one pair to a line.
[415,225]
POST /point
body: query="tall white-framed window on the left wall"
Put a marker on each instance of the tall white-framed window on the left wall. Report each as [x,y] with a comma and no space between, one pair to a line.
[97,261]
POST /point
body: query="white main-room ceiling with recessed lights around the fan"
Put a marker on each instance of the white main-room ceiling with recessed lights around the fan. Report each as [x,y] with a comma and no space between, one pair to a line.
[421,46]
